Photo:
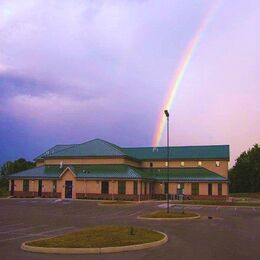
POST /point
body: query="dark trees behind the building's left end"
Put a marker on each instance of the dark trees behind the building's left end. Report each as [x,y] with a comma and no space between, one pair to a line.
[12,167]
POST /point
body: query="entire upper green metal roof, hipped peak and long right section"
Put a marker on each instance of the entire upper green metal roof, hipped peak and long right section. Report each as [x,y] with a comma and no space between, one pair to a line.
[98,147]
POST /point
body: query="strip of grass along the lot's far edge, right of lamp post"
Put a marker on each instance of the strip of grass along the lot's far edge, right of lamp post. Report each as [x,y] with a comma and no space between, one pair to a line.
[217,202]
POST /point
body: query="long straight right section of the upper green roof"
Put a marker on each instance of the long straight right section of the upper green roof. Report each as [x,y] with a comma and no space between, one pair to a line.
[179,152]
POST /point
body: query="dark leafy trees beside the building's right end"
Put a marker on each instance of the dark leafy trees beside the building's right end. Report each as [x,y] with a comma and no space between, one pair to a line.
[245,175]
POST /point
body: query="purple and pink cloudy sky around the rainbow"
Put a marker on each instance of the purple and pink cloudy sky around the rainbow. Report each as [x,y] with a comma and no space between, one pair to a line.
[71,71]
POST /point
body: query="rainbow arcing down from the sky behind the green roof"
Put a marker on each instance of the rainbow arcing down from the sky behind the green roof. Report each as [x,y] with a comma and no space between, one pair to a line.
[180,71]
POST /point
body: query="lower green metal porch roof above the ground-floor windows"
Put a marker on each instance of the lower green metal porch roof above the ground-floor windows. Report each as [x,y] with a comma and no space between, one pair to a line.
[106,172]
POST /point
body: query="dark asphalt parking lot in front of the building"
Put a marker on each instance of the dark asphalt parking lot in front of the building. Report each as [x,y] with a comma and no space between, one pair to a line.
[231,233]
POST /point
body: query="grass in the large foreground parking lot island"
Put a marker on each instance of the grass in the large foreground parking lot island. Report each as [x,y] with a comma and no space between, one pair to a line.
[101,236]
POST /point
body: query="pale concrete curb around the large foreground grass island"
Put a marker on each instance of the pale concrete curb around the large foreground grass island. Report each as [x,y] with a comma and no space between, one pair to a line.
[103,250]
